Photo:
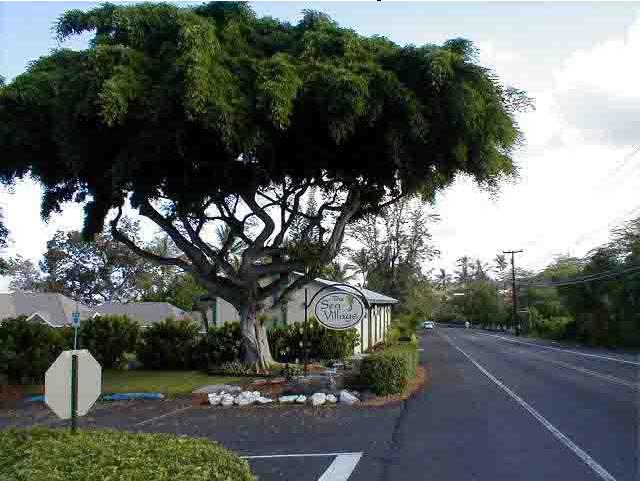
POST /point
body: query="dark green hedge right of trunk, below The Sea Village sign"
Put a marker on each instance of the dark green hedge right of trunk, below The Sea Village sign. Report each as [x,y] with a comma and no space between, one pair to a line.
[288,343]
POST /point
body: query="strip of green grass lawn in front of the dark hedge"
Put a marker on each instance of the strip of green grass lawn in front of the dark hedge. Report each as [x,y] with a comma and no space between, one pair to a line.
[166,382]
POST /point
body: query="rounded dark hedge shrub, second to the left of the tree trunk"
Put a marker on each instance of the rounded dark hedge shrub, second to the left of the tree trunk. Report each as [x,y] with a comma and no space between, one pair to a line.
[170,344]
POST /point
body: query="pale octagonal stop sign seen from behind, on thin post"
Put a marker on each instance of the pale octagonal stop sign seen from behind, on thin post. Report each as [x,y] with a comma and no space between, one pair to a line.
[73,384]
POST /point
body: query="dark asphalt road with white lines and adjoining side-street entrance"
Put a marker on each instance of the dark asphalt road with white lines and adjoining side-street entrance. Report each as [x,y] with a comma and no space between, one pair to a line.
[495,408]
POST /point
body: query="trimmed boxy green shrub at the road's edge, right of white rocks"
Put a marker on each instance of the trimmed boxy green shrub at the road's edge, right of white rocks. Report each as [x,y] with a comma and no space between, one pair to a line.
[388,372]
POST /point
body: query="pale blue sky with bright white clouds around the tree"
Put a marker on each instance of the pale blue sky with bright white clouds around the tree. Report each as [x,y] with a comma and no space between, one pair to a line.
[579,168]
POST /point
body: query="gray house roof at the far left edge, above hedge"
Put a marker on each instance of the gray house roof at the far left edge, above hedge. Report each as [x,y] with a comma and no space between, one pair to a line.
[55,309]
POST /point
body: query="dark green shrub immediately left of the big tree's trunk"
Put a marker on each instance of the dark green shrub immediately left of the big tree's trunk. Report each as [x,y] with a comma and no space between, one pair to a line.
[219,345]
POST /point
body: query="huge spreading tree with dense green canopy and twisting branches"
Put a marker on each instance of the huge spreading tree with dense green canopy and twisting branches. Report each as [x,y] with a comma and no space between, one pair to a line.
[211,115]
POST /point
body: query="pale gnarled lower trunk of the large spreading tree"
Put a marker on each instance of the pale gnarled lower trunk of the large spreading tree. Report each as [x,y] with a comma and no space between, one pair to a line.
[254,348]
